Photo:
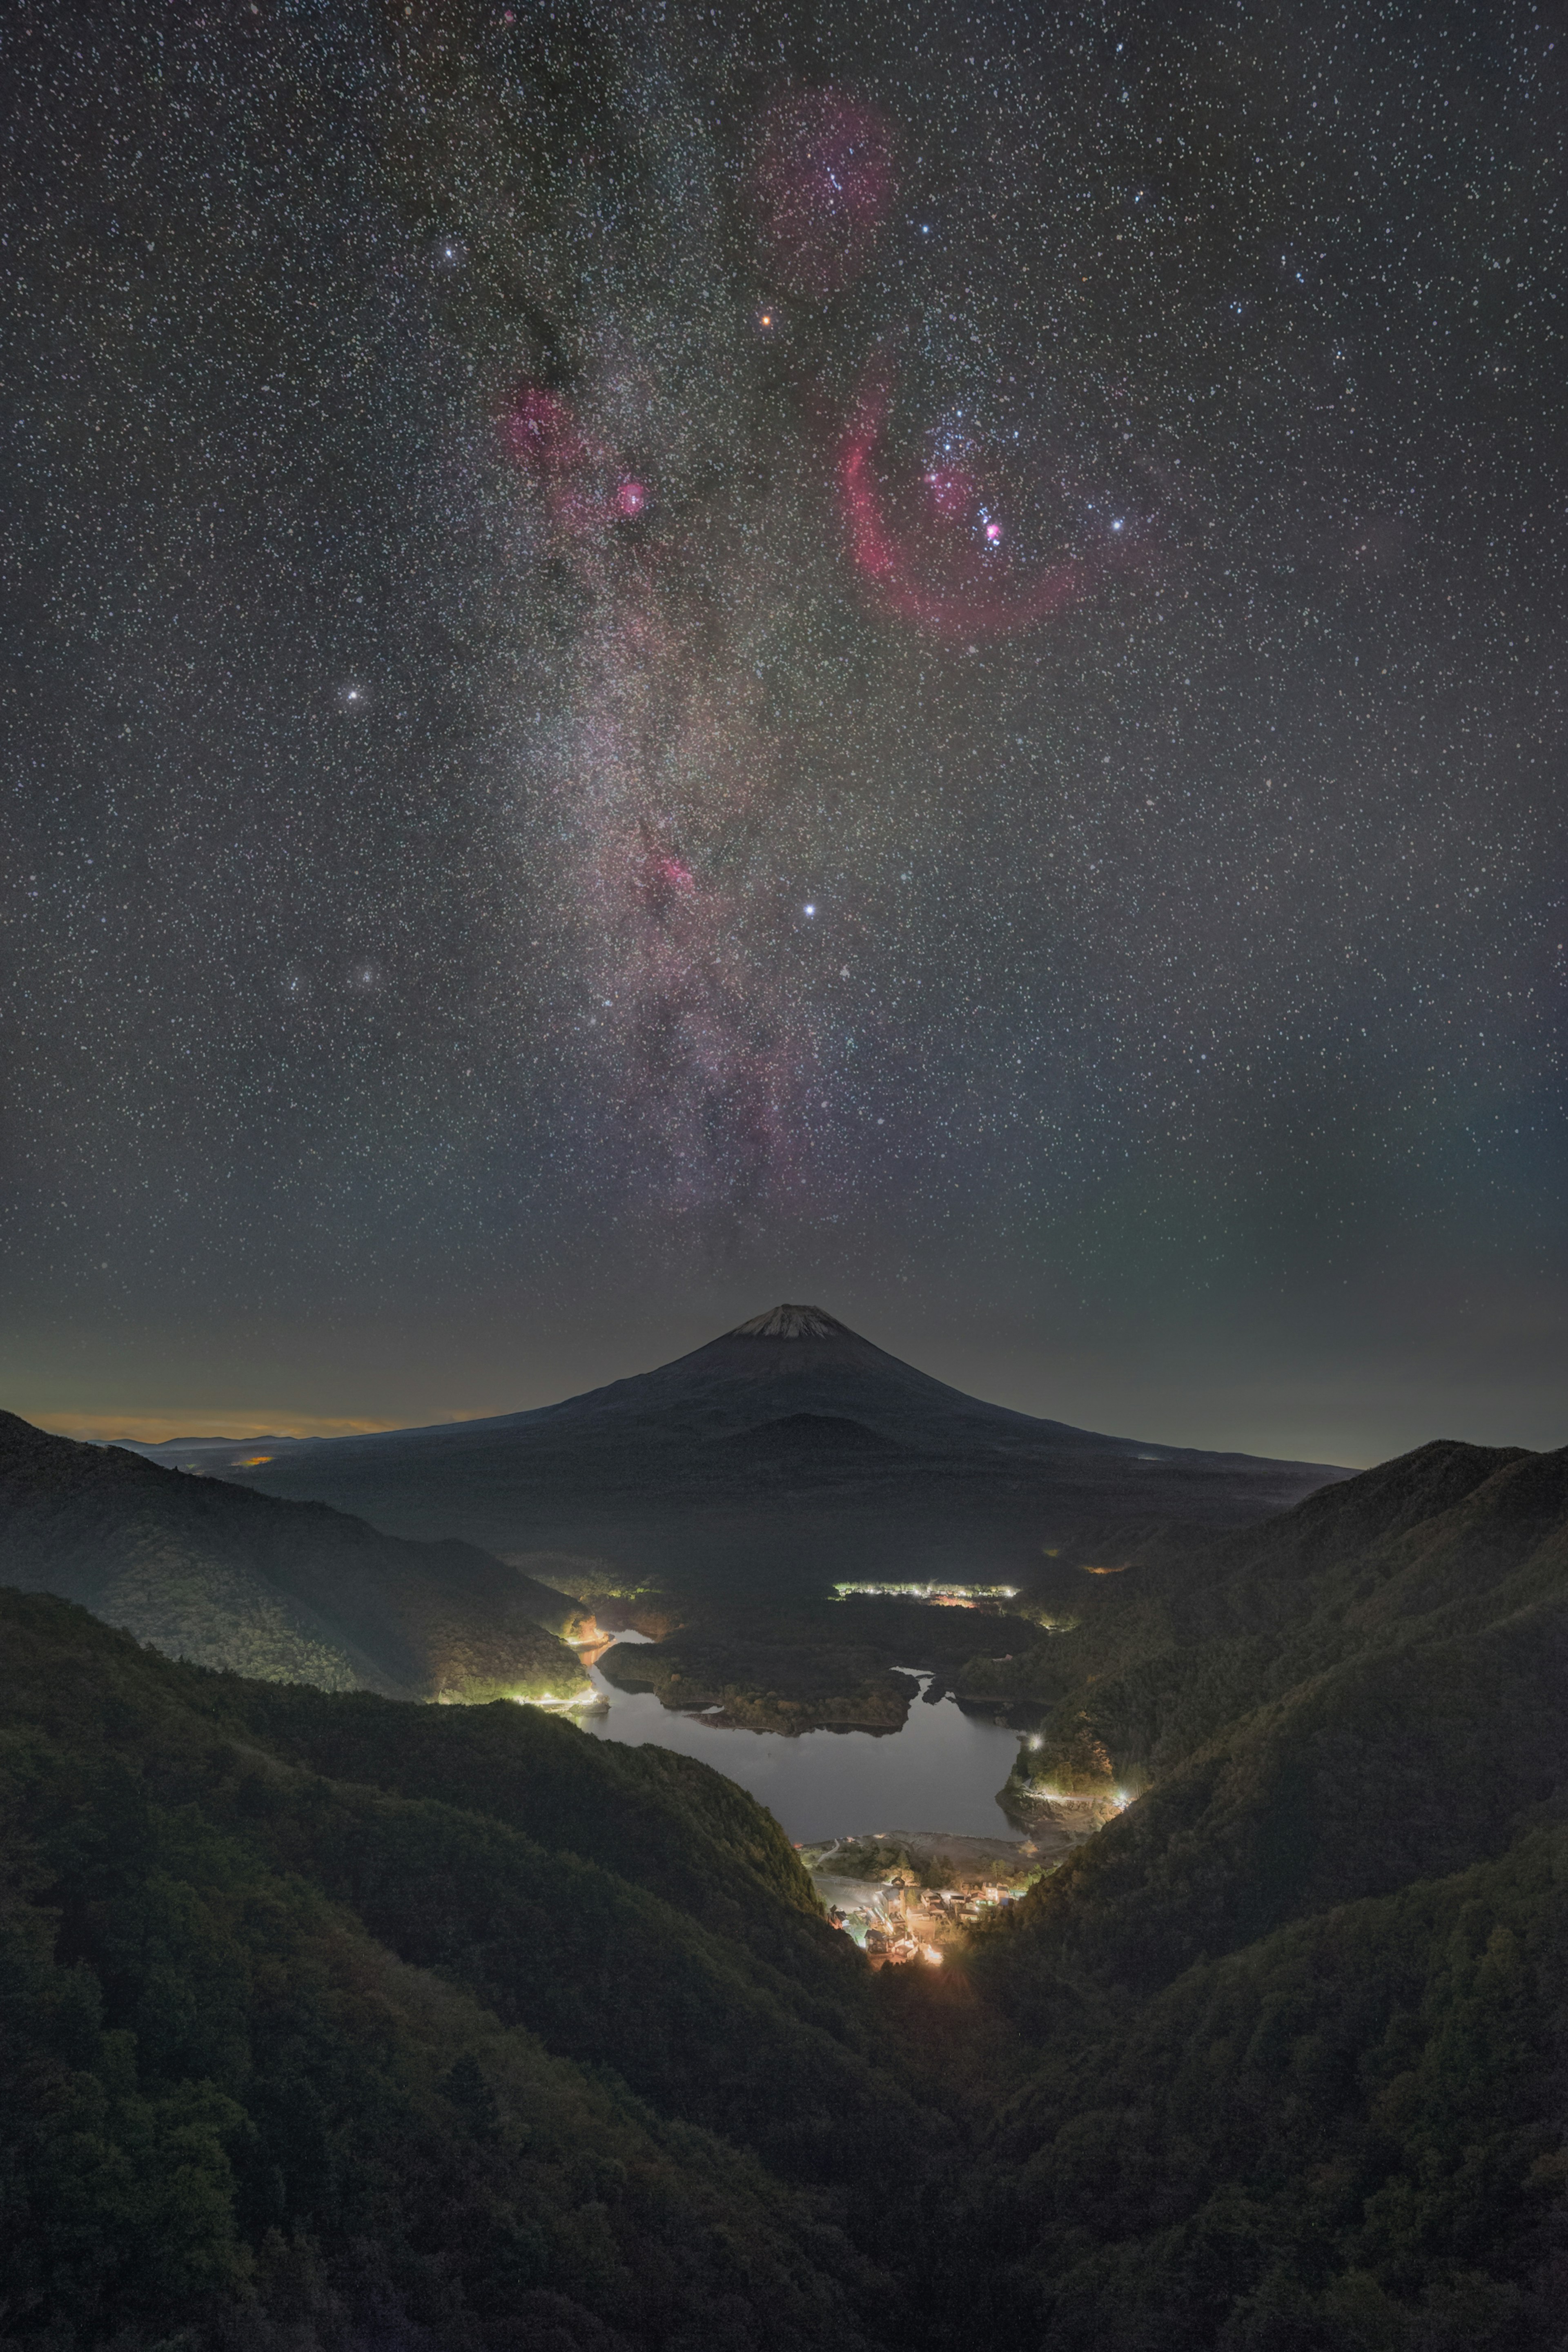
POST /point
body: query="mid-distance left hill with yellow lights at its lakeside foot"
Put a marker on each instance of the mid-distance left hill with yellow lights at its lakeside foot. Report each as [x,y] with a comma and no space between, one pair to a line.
[286,1591]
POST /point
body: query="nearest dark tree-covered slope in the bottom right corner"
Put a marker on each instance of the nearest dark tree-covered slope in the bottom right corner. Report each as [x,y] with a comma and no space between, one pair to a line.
[1341,2139]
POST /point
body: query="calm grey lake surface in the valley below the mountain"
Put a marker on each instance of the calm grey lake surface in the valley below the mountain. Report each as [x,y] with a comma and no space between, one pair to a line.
[942,1772]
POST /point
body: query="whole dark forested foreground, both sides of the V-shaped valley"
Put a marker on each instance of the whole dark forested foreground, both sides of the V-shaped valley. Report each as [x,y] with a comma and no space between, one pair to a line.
[330,2022]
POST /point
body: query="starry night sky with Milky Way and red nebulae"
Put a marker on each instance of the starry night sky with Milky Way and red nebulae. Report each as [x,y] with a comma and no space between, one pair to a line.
[681,657]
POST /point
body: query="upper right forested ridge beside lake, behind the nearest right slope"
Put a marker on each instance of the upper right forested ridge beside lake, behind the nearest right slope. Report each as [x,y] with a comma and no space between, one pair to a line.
[1360,1695]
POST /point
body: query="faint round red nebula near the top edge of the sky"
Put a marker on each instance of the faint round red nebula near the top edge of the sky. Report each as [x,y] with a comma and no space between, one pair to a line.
[824,187]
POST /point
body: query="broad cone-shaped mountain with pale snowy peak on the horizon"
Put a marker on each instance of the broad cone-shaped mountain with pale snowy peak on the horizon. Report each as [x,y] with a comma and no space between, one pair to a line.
[772,1462]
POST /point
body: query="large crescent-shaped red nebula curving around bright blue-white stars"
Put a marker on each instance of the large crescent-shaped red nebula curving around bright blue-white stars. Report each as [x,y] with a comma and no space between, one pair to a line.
[946,577]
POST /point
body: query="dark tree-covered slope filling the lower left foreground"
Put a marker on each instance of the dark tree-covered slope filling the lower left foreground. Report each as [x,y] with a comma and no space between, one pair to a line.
[314,2062]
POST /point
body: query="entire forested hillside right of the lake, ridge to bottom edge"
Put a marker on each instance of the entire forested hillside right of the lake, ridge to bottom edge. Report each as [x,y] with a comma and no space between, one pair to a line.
[1304,2012]
